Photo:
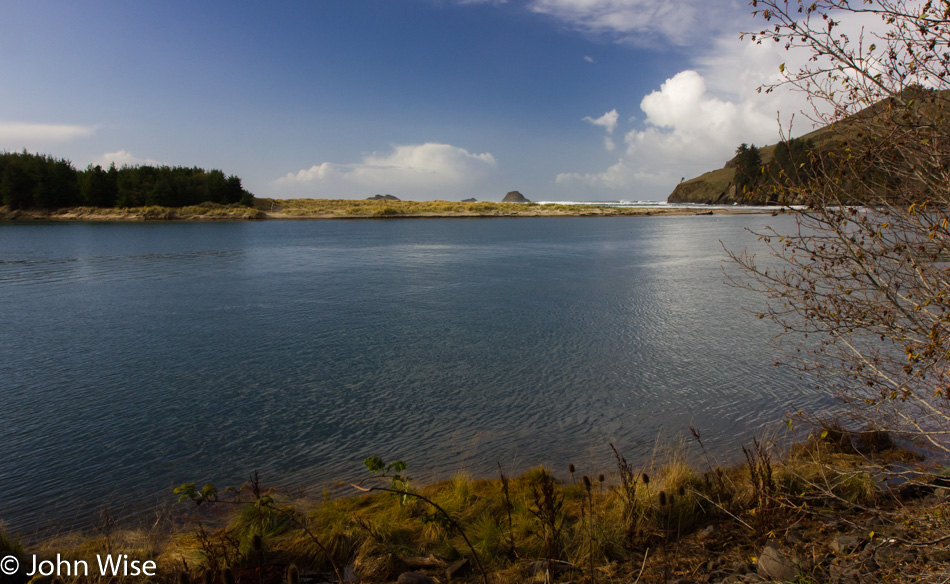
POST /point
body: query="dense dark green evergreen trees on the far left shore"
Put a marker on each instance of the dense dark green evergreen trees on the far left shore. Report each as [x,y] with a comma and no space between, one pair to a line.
[40,181]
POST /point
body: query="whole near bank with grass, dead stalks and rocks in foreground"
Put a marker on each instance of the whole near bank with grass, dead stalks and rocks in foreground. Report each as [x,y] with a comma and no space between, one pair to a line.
[822,513]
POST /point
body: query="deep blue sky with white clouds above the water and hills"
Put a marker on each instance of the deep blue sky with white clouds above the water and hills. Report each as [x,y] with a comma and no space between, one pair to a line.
[424,99]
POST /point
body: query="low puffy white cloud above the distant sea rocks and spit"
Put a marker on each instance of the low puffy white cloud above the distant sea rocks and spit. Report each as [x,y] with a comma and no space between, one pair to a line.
[410,171]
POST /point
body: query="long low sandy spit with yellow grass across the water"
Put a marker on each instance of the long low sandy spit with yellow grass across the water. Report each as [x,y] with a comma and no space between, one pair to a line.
[324,210]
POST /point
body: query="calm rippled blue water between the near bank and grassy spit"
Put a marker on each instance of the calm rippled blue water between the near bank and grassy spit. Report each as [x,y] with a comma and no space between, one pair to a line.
[135,357]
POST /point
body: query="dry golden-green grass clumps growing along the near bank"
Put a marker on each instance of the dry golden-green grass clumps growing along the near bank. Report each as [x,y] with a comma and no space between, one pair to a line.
[674,502]
